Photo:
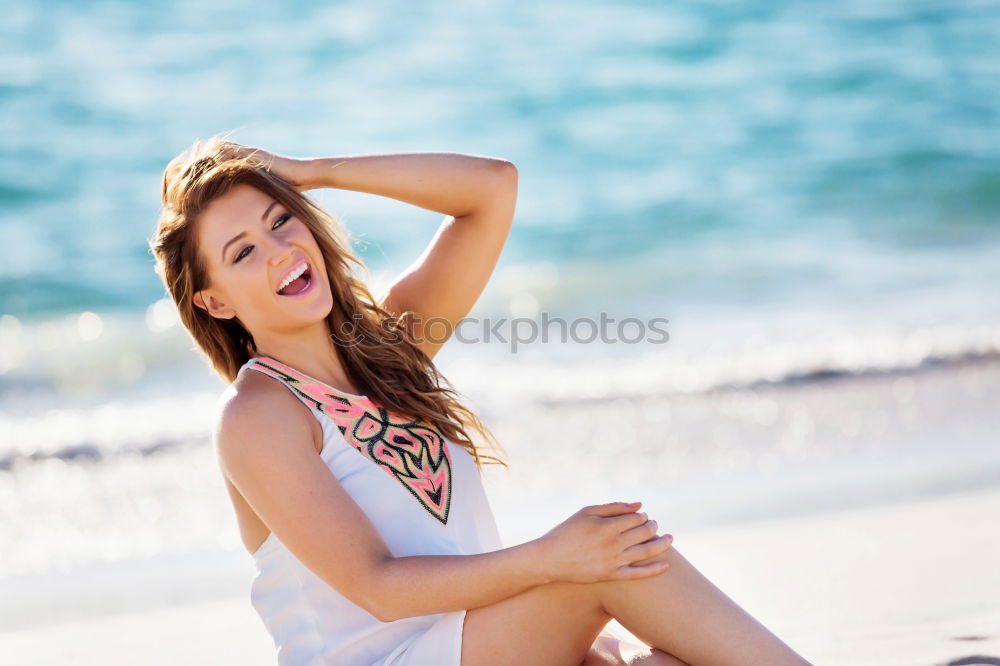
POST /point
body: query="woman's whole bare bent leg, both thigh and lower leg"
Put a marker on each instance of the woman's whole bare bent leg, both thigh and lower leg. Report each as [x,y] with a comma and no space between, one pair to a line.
[679,611]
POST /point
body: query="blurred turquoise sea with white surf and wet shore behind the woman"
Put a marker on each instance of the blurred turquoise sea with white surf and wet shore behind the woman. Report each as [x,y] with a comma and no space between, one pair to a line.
[808,192]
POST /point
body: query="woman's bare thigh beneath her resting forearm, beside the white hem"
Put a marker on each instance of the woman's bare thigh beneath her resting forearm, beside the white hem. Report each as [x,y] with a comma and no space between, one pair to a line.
[548,625]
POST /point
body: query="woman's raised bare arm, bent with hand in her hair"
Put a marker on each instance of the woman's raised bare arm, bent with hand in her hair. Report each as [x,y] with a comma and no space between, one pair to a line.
[478,194]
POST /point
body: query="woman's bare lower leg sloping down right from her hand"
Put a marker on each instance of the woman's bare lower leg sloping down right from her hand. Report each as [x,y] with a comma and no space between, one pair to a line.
[683,613]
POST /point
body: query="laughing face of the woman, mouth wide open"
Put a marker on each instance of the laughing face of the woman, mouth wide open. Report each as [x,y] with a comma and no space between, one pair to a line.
[251,244]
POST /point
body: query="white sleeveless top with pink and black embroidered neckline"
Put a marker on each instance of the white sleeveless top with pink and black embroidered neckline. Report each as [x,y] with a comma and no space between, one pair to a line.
[425,496]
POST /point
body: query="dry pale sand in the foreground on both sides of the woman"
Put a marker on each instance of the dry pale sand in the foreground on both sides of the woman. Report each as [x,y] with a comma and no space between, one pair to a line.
[902,584]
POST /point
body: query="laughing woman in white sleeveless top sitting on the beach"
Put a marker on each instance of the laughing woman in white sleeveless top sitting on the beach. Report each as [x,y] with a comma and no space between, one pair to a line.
[350,463]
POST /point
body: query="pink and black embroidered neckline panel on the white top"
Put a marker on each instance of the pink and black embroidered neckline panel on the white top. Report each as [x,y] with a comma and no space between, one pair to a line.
[412,452]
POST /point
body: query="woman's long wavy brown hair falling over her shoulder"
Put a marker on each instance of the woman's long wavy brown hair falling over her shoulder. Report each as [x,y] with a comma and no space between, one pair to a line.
[398,376]
